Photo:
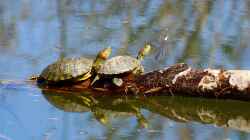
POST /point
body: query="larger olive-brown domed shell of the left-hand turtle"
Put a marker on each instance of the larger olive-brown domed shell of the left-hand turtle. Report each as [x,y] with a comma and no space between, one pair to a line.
[66,69]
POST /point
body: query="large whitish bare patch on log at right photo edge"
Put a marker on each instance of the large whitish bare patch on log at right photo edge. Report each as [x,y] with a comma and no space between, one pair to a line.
[239,79]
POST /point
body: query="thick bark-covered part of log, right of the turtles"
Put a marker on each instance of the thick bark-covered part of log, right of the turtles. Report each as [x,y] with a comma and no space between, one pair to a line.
[181,79]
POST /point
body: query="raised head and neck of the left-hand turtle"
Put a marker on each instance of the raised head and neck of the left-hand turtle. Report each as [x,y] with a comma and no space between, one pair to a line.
[101,57]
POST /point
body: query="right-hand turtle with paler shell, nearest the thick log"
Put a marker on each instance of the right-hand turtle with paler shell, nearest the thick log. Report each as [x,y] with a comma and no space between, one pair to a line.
[122,64]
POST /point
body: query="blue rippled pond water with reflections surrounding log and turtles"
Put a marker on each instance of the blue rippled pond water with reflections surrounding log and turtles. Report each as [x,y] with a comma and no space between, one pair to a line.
[35,33]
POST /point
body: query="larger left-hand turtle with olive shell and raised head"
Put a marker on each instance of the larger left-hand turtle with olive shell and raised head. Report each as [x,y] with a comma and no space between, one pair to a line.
[73,69]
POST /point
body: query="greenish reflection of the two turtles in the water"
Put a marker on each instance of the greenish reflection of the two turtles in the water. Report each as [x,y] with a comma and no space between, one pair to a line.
[101,108]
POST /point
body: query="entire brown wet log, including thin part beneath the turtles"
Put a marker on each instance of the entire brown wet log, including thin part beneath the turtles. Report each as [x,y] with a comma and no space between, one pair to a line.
[179,79]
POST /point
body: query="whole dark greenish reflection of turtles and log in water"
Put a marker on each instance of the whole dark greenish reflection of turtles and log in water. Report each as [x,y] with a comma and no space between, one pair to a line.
[223,113]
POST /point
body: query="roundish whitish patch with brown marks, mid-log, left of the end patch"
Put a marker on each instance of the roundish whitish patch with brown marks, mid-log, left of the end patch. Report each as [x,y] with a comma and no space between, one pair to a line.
[208,82]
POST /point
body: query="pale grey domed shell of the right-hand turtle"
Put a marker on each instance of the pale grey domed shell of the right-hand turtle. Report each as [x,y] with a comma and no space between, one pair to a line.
[119,65]
